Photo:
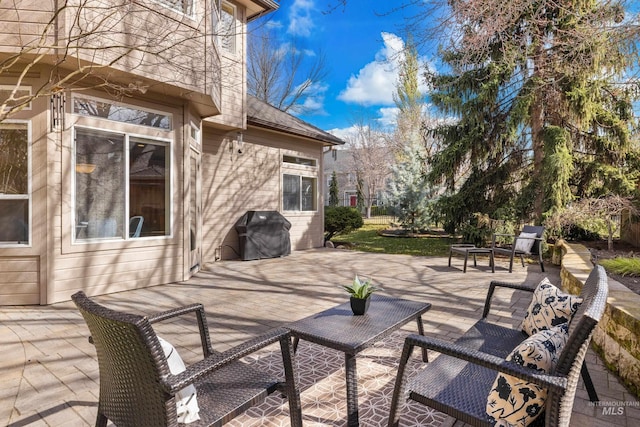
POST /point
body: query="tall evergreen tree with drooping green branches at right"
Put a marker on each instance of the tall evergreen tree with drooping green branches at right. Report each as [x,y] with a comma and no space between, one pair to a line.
[541,114]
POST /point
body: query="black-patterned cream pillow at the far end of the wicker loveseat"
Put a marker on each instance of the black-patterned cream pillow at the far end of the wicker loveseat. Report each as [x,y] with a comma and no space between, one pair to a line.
[549,307]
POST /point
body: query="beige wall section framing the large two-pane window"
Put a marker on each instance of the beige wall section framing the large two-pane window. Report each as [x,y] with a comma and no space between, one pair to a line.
[112,266]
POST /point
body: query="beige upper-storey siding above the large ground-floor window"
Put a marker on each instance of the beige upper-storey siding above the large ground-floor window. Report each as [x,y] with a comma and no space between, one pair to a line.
[171,51]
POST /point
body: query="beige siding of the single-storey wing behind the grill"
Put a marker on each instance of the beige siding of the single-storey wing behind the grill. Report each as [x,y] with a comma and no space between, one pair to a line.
[234,183]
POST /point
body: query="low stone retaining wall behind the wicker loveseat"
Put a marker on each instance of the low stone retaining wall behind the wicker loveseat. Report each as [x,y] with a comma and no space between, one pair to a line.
[617,336]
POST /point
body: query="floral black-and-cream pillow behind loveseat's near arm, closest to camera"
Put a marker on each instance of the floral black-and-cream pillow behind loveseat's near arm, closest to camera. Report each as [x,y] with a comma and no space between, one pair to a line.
[515,402]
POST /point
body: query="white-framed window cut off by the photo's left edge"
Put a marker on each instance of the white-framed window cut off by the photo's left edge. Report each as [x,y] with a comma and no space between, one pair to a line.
[14,183]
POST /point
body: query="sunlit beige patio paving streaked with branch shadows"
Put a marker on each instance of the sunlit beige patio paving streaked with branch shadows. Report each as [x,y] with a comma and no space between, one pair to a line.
[50,375]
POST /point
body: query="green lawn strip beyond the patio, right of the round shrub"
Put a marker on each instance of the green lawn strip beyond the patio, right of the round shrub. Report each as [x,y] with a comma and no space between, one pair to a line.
[367,239]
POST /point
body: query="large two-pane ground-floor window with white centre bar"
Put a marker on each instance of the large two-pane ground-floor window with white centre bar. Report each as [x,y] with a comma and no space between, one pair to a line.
[122,186]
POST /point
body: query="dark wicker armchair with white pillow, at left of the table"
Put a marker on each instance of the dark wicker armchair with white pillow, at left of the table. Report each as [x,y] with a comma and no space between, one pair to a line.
[137,388]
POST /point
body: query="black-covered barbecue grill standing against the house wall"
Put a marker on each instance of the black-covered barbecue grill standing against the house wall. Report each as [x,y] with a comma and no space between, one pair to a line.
[263,234]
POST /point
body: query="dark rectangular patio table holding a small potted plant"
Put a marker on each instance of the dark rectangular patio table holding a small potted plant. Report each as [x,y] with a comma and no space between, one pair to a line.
[338,328]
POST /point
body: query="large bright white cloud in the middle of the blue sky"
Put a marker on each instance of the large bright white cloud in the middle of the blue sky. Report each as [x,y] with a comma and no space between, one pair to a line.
[376,81]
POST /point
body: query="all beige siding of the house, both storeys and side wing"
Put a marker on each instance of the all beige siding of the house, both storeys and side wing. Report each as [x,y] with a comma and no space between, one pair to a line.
[53,265]
